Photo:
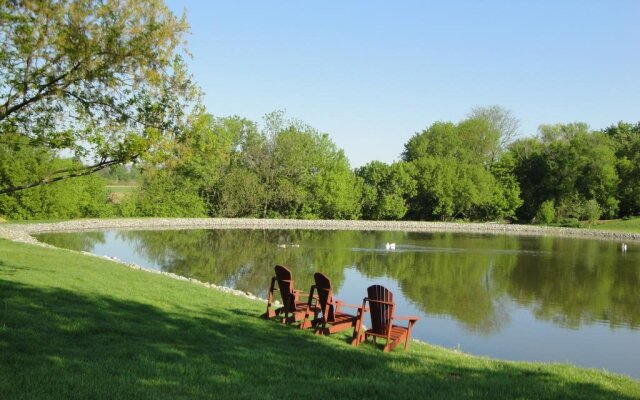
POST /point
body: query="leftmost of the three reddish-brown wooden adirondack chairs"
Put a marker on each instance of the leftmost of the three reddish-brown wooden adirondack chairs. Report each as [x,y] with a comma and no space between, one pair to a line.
[293,308]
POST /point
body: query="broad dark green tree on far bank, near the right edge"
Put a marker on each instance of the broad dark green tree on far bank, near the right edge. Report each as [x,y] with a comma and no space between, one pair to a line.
[567,164]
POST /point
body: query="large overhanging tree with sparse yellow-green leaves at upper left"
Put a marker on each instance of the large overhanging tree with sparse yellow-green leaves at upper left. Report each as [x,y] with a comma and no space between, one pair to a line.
[102,80]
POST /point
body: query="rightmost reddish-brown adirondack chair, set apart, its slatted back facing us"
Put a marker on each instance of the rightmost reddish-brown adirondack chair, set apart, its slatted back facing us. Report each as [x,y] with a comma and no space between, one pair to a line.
[381,307]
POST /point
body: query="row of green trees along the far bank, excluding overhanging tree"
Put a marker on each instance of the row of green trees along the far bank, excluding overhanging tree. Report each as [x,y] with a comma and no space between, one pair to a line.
[283,168]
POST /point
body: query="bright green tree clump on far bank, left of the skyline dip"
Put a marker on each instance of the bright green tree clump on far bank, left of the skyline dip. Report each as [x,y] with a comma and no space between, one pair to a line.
[286,170]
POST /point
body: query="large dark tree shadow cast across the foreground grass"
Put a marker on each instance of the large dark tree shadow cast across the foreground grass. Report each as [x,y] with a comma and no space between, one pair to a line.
[59,344]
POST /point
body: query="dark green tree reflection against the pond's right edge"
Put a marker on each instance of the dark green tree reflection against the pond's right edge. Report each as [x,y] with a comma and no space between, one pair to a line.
[578,282]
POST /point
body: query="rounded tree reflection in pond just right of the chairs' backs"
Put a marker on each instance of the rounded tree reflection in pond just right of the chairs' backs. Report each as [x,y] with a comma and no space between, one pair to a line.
[454,276]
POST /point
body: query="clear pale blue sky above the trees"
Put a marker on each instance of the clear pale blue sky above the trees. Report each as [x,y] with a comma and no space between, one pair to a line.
[373,73]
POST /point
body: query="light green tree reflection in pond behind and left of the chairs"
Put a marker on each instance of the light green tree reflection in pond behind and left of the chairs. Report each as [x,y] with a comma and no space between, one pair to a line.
[244,259]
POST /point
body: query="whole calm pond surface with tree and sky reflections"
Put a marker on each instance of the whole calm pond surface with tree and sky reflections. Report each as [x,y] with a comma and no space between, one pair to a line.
[516,298]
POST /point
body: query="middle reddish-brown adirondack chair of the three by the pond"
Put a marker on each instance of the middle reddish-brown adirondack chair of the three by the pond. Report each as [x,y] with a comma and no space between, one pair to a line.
[332,318]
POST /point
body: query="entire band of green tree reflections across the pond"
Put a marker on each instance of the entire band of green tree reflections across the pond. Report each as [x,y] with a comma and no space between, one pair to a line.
[570,282]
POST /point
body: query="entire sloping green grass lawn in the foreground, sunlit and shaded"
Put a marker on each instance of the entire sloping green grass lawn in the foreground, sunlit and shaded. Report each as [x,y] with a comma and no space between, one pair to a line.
[74,326]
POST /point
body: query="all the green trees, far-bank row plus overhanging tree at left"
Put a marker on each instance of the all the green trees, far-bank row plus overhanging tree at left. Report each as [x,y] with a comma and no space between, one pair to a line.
[91,86]
